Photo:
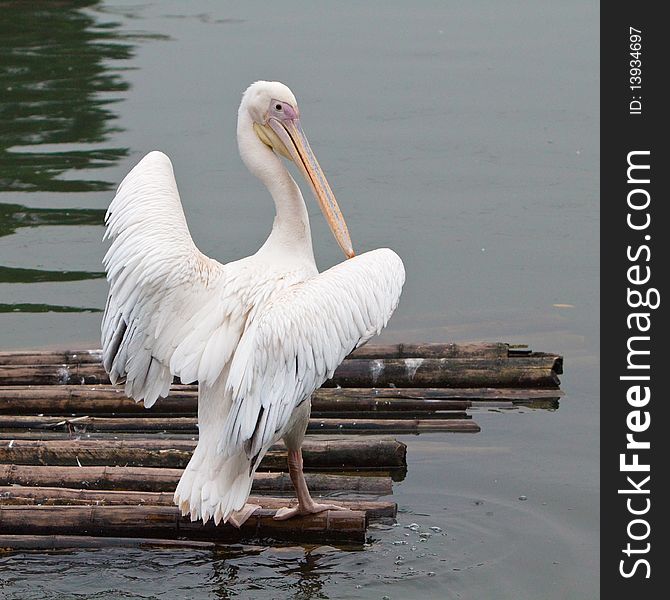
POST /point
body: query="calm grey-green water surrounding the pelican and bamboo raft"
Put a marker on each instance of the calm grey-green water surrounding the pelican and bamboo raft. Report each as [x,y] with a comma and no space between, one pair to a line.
[463,135]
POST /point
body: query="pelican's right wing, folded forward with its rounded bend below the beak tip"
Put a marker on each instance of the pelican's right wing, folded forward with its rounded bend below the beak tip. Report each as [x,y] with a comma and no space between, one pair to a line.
[298,341]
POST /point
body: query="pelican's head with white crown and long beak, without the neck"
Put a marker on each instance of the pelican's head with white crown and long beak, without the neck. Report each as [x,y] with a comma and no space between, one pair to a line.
[276,121]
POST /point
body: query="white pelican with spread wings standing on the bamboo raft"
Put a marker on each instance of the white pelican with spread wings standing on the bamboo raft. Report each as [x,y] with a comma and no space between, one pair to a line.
[258,334]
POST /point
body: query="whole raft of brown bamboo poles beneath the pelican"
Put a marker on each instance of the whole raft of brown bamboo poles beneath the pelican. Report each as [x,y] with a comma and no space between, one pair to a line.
[83,465]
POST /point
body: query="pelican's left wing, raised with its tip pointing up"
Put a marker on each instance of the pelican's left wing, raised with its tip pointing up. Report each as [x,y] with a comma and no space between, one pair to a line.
[171,310]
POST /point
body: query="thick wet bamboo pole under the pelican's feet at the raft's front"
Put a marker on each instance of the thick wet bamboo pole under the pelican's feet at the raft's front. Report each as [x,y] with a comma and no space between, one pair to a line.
[166,521]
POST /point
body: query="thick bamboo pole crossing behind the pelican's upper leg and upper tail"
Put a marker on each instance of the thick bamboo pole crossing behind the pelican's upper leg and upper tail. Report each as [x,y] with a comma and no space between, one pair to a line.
[360,453]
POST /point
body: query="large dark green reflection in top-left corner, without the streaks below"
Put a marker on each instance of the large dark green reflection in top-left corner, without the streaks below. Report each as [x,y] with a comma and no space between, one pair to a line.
[55,72]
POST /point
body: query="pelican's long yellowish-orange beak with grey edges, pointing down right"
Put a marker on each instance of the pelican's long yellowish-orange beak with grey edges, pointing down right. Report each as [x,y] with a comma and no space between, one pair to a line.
[292,143]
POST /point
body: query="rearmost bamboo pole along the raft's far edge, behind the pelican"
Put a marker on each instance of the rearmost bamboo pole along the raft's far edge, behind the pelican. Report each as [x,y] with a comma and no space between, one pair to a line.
[421,350]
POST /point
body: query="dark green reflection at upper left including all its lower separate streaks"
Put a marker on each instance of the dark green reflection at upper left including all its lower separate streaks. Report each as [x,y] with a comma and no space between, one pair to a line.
[60,79]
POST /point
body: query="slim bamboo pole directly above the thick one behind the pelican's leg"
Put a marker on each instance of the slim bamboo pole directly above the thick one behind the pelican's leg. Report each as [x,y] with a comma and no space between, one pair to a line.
[189,424]
